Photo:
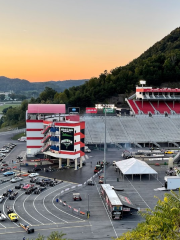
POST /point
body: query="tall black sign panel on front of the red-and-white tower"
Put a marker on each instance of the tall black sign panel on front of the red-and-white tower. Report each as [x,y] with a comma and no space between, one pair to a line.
[67,139]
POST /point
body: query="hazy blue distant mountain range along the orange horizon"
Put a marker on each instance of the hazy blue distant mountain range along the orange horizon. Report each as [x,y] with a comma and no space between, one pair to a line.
[21,85]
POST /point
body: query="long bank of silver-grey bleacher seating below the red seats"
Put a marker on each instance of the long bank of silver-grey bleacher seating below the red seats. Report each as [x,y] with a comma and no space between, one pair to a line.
[132,129]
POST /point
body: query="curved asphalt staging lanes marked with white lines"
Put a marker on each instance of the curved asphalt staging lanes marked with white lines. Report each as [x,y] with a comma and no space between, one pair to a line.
[47,216]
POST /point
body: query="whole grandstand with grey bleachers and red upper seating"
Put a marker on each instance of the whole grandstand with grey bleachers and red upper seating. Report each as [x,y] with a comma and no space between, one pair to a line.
[155,120]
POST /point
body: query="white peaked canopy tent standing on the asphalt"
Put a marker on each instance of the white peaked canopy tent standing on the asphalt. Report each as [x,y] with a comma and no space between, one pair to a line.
[133,166]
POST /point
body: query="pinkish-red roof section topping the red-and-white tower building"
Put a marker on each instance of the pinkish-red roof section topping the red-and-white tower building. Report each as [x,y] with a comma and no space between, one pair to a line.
[46,108]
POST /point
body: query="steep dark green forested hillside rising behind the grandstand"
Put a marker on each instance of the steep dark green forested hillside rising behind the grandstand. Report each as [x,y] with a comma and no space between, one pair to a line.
[159,64]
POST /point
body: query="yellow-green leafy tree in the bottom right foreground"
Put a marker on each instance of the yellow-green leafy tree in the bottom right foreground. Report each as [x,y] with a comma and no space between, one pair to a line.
[162,223]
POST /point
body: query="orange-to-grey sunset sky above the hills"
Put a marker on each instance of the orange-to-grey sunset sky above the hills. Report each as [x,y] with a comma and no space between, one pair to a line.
[43,40]
